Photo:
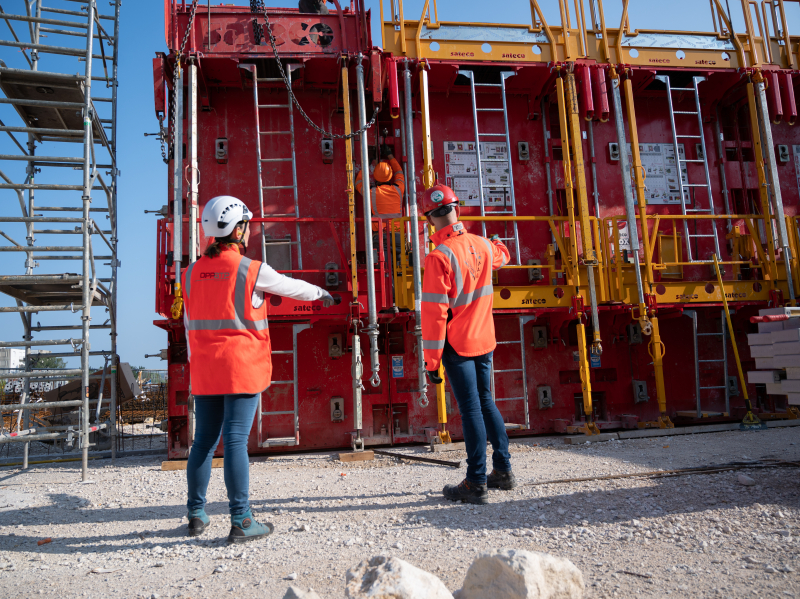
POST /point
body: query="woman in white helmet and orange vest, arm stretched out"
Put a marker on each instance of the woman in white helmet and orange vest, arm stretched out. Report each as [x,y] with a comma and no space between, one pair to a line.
[229,348]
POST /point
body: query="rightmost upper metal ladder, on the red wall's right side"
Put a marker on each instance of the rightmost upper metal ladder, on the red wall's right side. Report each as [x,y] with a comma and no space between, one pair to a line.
[679,162]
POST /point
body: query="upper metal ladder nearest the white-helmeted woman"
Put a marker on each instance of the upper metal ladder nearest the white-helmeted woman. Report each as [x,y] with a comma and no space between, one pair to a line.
[292,159]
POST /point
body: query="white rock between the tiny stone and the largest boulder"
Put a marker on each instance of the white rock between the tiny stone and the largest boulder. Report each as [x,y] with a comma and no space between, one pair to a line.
[392,578]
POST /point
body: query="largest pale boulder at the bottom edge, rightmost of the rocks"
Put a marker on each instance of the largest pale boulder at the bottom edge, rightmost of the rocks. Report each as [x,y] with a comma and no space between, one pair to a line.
[511,574]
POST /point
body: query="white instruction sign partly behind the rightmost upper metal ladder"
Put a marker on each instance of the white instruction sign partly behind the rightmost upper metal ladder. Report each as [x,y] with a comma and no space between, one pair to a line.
[661,173]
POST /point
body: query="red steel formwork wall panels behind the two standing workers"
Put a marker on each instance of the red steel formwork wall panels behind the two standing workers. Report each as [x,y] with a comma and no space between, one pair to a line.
[392,411]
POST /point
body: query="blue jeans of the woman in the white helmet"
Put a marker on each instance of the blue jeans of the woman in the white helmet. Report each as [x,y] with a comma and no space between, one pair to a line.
[232,416]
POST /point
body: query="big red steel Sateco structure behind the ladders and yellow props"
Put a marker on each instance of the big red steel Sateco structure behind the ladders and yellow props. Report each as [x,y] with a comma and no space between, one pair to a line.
[226,100]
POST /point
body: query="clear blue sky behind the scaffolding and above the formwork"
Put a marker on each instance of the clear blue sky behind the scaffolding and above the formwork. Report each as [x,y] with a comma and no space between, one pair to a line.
[143,184]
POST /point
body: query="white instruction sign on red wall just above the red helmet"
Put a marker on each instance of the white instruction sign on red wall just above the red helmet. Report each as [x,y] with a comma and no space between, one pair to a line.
[461,172]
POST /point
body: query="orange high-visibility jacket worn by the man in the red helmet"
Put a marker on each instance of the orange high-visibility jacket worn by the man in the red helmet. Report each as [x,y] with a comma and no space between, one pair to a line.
[458,281]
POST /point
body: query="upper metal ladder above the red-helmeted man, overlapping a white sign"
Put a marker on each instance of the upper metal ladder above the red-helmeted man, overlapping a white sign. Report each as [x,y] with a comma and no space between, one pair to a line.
[478,135]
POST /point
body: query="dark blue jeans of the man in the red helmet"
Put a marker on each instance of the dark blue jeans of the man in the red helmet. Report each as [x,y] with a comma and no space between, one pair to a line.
[471,382]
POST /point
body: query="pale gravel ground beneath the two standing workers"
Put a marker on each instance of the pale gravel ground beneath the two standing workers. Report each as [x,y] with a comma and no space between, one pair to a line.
[122,534]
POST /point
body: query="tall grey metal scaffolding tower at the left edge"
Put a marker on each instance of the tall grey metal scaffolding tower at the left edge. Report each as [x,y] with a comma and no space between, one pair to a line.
[80,131]
